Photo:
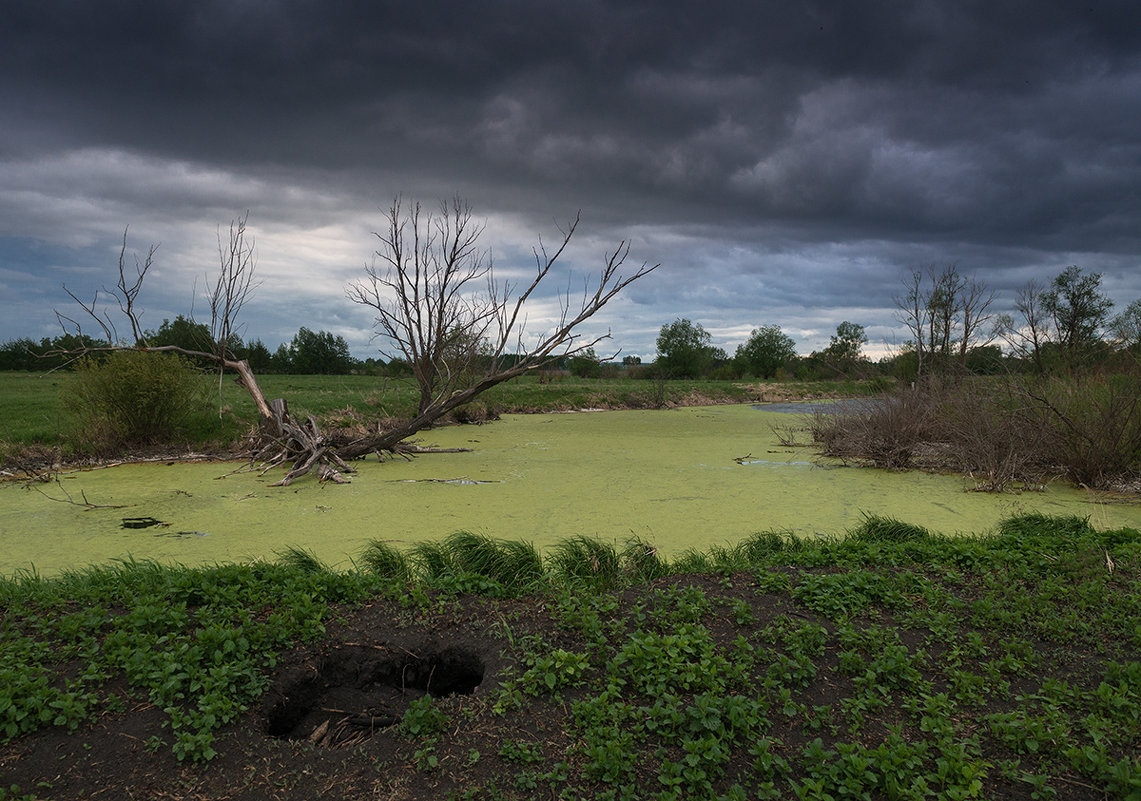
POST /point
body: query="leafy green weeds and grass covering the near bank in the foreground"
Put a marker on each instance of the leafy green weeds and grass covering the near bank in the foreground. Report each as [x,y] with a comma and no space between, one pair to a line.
[893,664]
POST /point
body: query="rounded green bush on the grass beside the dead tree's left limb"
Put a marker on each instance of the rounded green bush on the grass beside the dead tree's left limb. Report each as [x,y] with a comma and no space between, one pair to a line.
[134,399]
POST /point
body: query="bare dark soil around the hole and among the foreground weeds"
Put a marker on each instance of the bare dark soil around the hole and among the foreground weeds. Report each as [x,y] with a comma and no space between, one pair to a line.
[328,726]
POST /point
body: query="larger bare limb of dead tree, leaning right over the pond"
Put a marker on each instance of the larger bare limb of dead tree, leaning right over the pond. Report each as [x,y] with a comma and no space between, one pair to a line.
[439,305]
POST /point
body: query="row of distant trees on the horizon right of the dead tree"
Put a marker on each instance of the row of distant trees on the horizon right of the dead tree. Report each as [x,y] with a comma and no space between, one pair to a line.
[1065,326]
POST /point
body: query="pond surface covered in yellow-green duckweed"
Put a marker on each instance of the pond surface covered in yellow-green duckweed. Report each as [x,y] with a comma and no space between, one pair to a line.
[681,479]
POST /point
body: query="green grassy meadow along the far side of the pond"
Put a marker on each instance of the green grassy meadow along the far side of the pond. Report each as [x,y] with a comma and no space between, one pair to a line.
[36,422]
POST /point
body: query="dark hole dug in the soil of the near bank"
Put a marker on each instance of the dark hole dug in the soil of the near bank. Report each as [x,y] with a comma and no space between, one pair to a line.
[359,690]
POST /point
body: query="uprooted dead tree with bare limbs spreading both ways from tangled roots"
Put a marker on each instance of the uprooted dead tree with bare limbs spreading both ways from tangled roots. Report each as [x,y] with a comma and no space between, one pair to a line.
[459,341]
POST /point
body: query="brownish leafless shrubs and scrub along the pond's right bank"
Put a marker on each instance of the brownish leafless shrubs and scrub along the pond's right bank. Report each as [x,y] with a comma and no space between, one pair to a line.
[1013,433]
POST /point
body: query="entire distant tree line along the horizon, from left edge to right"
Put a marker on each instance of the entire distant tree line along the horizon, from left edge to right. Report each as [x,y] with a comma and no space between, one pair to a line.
[1061,326]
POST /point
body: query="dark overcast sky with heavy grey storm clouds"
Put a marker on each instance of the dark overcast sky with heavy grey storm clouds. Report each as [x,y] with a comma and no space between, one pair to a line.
[786,163]
